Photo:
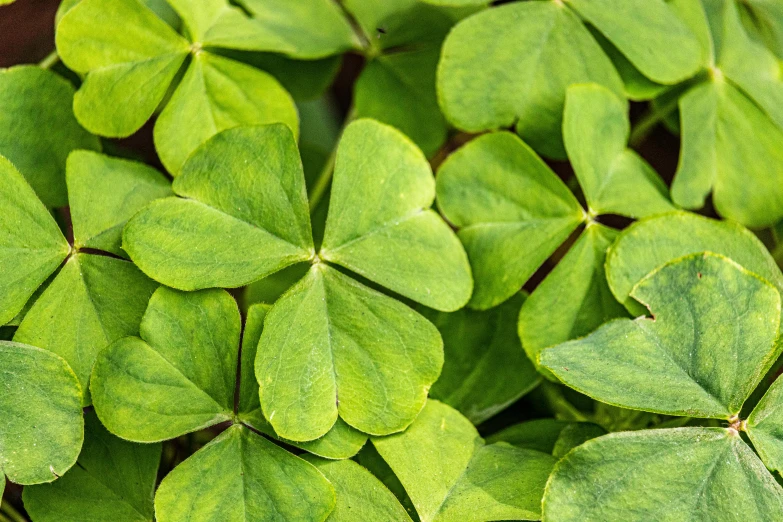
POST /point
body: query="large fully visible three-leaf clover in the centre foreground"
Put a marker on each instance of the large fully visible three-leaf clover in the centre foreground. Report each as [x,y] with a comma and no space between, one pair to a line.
[226,232]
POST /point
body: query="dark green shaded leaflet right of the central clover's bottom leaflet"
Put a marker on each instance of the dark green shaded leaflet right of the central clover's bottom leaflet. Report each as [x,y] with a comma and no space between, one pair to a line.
[485,368]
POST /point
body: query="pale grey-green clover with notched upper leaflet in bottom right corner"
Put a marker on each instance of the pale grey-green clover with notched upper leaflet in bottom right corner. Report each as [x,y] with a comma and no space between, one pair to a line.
[701,355]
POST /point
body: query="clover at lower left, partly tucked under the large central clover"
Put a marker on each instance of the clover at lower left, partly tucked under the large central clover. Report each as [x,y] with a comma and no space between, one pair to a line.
[181,376]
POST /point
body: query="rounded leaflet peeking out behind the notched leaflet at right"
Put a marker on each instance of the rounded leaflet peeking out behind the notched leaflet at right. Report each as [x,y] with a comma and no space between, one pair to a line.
[652,242]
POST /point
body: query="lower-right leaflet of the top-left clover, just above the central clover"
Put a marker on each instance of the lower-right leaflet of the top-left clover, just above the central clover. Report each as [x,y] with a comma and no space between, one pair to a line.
[218,94]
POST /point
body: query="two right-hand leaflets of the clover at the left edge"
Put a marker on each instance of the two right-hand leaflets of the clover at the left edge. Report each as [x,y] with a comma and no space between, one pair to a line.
[95,298]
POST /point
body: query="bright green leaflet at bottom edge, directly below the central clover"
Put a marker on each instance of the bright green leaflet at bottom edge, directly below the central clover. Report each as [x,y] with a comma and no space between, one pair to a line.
[360,496]
